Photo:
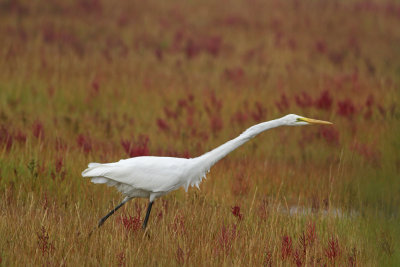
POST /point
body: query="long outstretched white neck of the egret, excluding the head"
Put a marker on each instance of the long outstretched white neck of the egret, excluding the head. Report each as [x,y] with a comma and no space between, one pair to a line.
[208,159]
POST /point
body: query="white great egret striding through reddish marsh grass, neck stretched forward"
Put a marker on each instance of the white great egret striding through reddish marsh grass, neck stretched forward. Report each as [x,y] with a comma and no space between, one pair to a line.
[152,177]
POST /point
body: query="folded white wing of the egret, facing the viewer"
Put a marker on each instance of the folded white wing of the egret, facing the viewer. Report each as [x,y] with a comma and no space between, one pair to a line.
[153,174]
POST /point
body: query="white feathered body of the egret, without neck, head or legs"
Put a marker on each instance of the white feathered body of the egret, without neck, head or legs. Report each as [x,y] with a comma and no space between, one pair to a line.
[146,176]
